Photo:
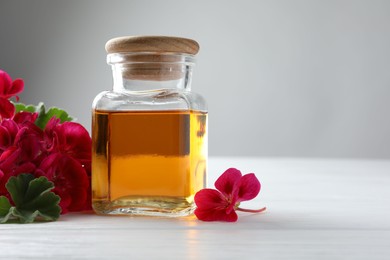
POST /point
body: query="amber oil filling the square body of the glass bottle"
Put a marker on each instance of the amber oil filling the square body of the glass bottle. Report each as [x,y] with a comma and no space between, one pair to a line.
[148,162]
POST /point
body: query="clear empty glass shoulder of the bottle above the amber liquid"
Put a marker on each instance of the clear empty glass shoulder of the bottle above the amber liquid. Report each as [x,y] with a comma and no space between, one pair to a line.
[149,100]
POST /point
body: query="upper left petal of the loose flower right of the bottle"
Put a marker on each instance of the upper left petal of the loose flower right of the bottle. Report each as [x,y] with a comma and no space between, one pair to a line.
[228,183]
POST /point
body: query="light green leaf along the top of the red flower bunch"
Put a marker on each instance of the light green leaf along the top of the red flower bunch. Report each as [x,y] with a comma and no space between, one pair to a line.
[43,115]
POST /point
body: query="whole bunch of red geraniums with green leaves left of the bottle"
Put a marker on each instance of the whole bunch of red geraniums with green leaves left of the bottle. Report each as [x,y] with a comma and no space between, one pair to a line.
[45,159]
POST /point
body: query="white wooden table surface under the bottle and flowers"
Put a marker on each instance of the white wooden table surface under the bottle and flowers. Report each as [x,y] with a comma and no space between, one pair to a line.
[317,209]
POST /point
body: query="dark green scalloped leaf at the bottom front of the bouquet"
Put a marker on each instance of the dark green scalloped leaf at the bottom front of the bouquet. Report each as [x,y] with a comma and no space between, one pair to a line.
[32,198]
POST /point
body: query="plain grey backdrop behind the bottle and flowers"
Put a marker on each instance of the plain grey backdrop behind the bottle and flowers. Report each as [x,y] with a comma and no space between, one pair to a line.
[282,78]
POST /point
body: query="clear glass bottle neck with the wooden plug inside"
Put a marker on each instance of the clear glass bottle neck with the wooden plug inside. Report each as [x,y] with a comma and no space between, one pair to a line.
[143,72]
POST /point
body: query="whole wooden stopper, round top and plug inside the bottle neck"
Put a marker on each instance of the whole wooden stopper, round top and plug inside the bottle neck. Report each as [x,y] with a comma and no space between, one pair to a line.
[157,58]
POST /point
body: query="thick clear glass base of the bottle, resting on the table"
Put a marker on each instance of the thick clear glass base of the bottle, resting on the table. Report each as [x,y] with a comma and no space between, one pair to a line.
[145,206]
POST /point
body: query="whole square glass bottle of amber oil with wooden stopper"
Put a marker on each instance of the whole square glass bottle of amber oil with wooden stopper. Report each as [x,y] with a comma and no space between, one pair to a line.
[149,133]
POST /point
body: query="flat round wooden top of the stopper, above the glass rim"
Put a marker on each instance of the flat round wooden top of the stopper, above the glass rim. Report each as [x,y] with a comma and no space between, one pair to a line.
[158,44]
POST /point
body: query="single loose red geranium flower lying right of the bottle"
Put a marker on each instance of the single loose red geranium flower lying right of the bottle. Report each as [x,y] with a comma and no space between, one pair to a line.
[232,189]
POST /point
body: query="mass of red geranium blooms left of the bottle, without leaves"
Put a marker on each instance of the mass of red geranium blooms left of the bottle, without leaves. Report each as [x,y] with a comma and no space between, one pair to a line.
[61,151]
